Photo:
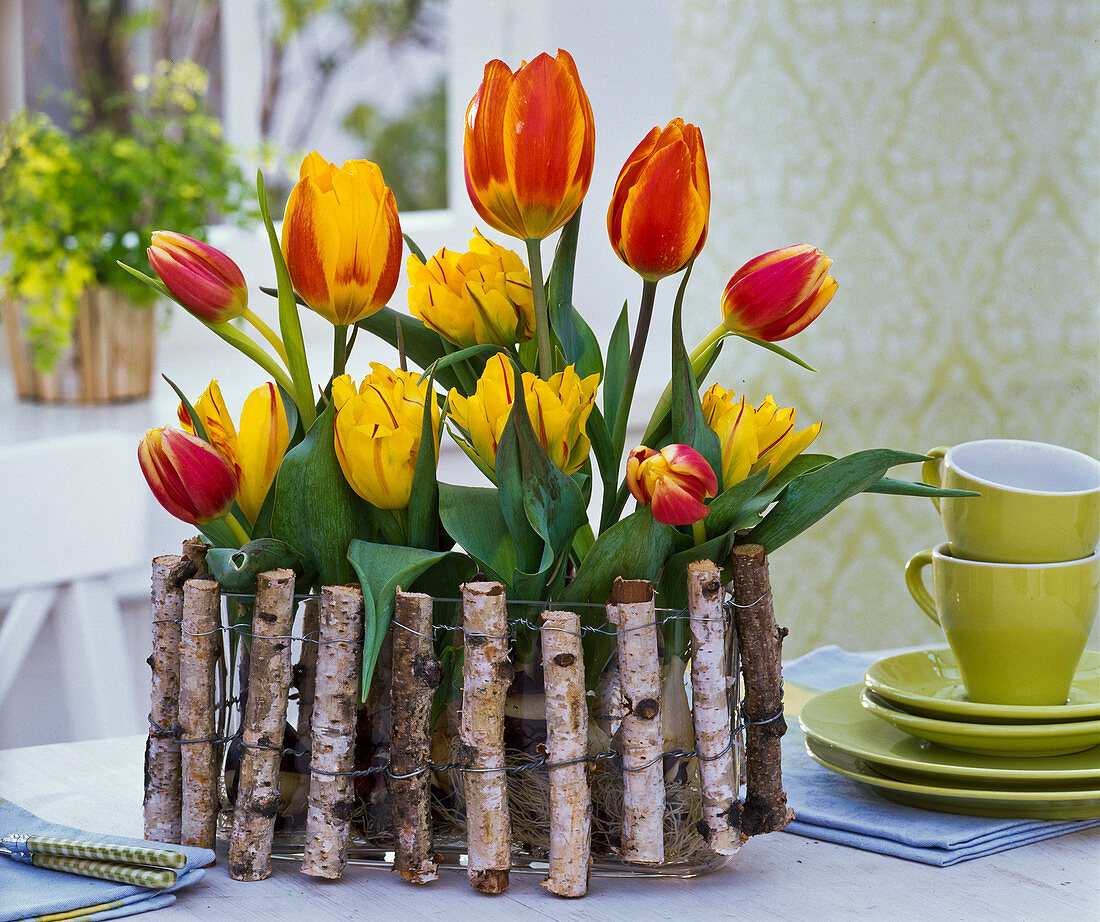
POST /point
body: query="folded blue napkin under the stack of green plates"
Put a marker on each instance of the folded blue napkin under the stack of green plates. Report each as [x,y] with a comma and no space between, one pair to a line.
[837,809]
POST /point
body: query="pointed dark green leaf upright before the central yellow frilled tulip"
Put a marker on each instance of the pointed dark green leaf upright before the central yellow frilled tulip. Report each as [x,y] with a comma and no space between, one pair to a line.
[535,495]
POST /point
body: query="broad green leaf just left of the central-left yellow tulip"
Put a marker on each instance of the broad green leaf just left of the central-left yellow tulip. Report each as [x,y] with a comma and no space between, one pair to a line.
[315,509]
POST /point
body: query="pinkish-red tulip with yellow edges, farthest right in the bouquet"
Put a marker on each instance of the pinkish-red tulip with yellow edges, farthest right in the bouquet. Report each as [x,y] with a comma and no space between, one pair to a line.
[778,294]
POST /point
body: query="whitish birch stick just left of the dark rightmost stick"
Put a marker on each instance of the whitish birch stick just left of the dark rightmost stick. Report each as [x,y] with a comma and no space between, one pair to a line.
[721,826]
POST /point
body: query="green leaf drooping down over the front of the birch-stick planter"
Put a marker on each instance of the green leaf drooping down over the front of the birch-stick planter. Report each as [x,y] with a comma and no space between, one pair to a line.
[381,570]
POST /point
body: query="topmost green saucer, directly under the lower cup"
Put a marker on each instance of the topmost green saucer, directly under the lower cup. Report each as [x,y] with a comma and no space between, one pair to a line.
[928,683]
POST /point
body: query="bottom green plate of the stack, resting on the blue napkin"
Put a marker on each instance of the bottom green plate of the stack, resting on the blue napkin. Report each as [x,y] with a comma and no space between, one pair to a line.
[1040,805]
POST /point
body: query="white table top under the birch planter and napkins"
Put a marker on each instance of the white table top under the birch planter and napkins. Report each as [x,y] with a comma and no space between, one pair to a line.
[97,785]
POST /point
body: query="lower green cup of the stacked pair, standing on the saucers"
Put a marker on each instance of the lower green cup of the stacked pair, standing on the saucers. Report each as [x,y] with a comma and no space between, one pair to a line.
[1018,631]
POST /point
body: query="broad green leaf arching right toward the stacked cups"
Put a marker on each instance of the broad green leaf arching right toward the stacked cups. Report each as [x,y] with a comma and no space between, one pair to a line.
[811,497]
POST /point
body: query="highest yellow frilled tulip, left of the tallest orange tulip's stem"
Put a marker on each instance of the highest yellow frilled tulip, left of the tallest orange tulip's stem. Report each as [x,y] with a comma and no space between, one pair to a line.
[482,297]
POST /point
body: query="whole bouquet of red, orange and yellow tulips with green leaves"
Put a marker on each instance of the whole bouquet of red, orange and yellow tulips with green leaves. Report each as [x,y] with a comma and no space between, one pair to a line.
[338,480]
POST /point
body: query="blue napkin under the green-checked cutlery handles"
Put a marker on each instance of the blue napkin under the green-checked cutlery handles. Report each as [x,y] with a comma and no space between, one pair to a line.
[28,893]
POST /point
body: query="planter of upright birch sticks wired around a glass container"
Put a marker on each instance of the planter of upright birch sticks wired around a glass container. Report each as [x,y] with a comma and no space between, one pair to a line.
[575,805]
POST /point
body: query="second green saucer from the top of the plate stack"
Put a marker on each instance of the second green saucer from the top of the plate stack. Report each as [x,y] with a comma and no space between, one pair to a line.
[1003,740]
